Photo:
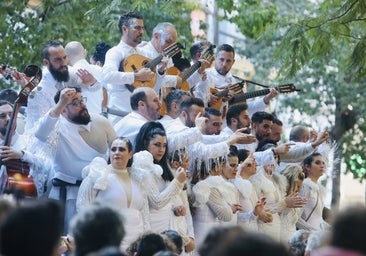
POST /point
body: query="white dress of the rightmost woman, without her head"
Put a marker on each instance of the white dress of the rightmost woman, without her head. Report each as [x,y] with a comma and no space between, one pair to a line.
[311,217]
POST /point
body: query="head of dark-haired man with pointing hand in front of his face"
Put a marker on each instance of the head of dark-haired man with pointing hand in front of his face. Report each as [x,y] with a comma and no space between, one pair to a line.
[189,109]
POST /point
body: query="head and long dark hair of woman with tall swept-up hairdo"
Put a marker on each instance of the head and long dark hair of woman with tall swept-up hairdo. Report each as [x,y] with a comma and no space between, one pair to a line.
[152,137]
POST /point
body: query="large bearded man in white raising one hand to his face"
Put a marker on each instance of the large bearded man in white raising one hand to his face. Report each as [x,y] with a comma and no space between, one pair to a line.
[74,138]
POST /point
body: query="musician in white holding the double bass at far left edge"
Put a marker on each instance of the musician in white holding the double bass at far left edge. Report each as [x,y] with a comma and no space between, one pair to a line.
[15,173]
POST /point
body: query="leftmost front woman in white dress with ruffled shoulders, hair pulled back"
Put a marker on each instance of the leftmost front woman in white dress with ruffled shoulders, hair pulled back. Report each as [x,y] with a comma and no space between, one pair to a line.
[118,184]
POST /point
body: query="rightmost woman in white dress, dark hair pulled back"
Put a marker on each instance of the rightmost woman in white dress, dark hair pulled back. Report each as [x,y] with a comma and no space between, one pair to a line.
[314,192]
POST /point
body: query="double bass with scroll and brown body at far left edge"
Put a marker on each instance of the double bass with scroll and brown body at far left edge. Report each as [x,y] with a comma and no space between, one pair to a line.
[18,170]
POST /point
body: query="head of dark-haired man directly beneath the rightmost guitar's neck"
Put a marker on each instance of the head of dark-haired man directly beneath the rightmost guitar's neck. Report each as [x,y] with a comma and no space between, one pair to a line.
[237,117]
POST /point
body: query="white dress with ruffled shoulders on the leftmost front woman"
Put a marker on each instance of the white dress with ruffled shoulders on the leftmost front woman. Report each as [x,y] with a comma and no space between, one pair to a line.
[101,184]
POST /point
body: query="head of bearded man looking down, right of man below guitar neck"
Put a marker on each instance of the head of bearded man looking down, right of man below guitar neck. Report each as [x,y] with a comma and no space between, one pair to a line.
[262,123]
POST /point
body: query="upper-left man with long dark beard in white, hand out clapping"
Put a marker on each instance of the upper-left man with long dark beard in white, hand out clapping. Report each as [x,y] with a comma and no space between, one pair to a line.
[55,76]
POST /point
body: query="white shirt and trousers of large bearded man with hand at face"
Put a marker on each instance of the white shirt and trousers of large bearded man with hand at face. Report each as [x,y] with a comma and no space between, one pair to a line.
[71,153]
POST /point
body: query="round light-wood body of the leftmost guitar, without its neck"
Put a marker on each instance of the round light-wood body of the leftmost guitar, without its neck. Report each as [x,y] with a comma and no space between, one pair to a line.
[133,63]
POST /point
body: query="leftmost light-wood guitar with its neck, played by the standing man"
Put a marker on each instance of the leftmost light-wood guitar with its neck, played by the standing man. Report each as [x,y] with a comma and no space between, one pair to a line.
[135,62]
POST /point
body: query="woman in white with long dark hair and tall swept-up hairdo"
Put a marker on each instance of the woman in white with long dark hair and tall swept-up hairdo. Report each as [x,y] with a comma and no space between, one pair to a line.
[161,185]
